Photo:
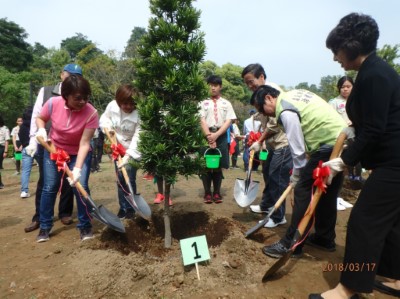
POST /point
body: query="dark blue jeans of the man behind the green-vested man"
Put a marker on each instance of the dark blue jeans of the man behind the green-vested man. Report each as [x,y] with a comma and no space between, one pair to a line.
[277,170]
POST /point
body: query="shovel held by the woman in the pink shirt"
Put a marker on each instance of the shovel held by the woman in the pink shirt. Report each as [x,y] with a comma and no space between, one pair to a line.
[99,212]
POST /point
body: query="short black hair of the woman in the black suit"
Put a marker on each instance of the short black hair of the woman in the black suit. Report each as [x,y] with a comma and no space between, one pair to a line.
[356,34]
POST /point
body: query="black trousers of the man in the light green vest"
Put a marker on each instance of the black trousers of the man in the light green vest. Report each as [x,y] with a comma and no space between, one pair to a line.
[326,210]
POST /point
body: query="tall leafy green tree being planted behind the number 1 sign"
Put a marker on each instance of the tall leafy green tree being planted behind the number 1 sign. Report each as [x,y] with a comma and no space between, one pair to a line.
[168,75]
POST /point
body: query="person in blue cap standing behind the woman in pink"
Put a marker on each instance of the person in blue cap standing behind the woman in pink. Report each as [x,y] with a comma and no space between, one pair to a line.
[66,203]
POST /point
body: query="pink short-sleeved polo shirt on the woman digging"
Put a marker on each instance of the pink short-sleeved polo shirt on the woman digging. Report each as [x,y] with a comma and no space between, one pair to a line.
[67,125]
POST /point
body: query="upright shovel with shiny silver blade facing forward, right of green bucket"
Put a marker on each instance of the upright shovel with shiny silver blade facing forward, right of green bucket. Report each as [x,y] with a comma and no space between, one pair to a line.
[245,191]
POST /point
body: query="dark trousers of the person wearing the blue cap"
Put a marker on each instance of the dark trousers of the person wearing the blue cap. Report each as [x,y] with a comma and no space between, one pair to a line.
[66,204]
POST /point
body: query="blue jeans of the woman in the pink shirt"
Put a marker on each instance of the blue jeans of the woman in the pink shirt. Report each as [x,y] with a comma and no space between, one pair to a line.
[51,185]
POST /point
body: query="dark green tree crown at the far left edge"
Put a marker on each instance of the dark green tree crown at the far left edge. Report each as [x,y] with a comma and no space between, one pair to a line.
[15,54]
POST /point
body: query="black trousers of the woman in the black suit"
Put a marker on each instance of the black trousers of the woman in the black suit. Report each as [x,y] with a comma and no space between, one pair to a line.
[373,232]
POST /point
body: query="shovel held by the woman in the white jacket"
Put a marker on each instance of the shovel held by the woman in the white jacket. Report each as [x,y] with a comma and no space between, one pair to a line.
[135,200]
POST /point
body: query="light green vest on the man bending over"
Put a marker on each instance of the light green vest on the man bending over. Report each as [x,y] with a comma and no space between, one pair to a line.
[320,123]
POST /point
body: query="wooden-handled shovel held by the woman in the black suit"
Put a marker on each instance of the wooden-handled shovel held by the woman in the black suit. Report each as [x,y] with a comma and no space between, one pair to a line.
[306,219]
